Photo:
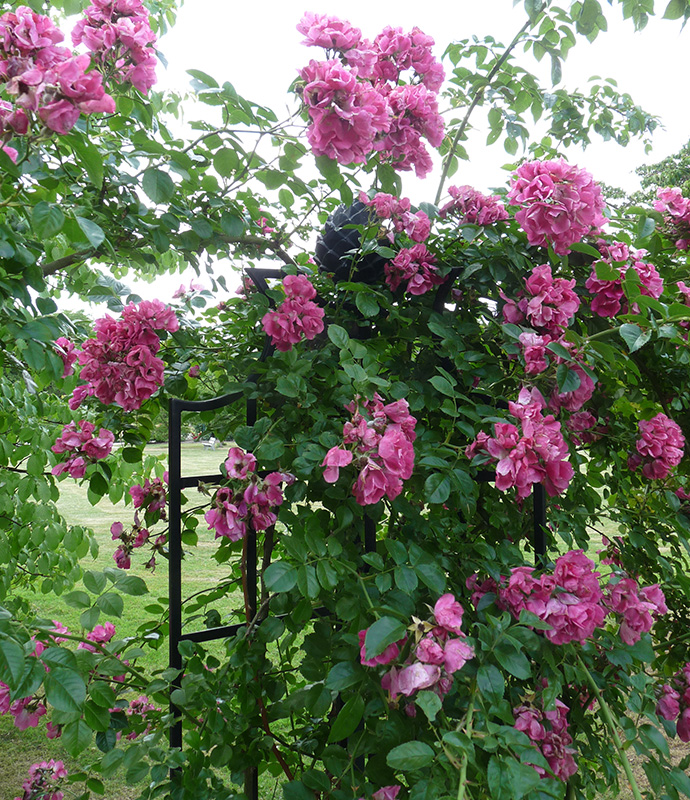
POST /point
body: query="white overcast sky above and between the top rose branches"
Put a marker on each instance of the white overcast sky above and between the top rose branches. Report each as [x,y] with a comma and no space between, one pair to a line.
[256,47]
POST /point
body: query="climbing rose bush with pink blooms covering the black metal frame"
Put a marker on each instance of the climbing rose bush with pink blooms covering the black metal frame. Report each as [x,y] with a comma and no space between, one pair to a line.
[410,638]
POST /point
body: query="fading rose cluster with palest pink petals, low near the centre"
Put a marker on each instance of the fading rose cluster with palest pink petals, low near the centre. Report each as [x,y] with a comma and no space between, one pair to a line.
[439,651]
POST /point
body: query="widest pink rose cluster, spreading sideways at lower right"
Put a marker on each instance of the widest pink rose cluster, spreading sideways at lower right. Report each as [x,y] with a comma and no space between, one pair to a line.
[572,601]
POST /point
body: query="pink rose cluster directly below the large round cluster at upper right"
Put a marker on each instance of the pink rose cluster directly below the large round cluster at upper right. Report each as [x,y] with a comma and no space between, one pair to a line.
[548,305]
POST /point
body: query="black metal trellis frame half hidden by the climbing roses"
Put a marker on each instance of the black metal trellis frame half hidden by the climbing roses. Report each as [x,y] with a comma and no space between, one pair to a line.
[176,484]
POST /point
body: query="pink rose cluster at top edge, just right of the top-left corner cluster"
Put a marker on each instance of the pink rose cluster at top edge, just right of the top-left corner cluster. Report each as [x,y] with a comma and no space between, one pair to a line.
[118,35]
